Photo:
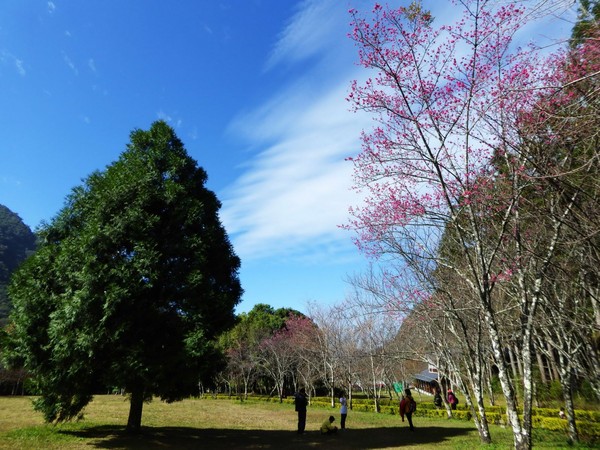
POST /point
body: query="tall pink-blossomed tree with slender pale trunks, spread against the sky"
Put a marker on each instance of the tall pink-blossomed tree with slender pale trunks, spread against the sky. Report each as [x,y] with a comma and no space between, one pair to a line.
[449,103]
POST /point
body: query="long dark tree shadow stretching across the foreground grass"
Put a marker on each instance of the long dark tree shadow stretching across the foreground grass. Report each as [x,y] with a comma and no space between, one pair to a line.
[113,437]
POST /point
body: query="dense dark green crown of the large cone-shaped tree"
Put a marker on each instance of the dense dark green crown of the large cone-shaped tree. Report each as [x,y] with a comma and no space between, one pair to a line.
[132,283]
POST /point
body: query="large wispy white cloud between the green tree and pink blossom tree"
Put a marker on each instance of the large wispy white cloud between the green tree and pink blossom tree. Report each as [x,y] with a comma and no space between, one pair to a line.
[295,192]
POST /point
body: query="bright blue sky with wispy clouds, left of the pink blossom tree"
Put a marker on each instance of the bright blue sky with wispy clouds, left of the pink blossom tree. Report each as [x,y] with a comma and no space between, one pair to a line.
[254,88]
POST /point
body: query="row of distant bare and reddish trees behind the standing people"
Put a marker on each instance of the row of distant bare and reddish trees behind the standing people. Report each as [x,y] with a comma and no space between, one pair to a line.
[336,349]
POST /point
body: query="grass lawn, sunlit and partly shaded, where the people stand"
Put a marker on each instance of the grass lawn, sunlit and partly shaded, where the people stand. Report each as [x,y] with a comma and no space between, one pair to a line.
[222,424]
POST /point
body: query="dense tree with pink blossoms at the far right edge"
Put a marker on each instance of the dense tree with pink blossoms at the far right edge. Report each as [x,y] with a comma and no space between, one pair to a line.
[560,135]
